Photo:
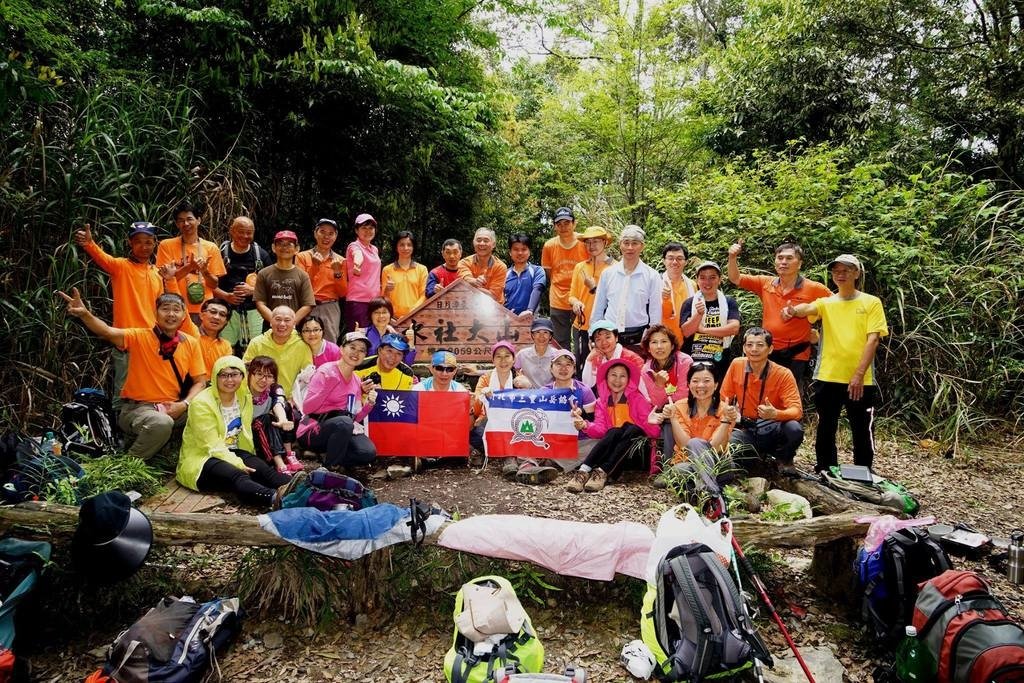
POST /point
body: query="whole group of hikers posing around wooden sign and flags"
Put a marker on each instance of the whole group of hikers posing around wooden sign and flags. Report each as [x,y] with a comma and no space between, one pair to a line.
[295,346]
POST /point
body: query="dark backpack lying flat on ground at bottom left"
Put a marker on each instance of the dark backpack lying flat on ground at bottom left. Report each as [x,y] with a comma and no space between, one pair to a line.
[176,643]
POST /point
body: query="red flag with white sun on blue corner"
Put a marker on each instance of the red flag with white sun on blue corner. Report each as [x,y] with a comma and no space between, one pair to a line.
[424,424]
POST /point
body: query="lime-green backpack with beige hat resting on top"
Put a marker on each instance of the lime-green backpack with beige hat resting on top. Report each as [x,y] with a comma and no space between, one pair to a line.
[522,651]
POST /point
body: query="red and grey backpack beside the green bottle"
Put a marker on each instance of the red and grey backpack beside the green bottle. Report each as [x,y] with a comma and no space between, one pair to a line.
[968,631]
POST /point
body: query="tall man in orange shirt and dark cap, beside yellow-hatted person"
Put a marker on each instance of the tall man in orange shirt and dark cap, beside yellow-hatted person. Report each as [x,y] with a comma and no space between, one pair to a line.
[560,258]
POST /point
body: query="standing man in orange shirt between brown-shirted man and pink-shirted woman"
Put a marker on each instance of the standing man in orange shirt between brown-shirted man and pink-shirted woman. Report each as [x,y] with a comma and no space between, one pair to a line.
[326,269]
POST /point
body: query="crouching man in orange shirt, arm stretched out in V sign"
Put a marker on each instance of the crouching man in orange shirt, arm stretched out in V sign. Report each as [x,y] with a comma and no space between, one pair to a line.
[165,371]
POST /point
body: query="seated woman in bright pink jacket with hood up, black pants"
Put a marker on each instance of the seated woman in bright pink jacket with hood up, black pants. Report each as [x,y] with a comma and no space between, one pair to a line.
[620,424]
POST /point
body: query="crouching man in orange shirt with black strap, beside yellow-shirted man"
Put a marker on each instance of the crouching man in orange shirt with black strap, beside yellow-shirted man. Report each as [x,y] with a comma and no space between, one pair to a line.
[769,401]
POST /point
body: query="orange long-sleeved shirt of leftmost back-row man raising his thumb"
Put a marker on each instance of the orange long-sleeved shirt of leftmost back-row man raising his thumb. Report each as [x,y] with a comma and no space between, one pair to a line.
[136,288]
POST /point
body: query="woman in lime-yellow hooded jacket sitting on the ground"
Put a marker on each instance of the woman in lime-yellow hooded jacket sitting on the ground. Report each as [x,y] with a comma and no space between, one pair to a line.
[218,445]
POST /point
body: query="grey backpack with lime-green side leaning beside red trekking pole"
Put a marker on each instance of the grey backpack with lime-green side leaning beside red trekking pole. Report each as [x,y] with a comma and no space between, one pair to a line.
[694,621]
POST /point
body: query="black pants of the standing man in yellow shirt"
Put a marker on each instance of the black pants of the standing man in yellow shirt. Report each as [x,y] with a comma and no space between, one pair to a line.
[831,399]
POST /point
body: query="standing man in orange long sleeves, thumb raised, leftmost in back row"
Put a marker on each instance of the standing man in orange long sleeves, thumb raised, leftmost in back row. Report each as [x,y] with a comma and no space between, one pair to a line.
[136,284]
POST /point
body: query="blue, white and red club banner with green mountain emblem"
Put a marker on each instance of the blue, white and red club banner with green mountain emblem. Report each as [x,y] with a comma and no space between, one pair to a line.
[531,423]
